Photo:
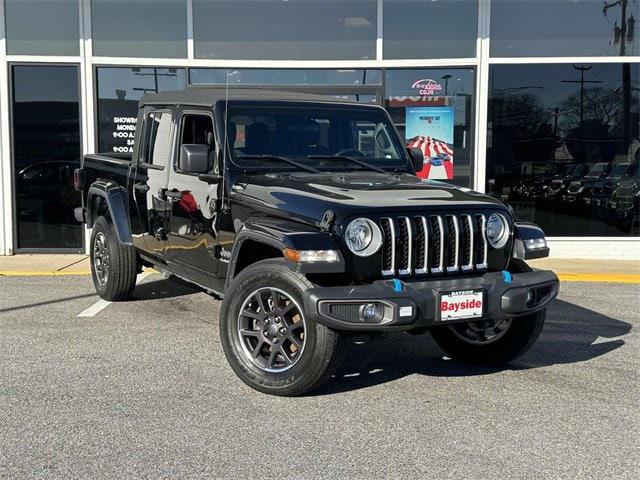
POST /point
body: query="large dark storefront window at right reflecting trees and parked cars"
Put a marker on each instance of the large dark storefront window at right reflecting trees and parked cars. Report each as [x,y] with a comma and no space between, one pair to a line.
[563,146]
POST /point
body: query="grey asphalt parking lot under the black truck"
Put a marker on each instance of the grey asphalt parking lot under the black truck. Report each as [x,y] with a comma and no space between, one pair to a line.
[142,389]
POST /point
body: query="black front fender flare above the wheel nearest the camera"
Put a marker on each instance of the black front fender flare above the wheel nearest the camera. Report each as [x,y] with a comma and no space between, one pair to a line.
[285,234]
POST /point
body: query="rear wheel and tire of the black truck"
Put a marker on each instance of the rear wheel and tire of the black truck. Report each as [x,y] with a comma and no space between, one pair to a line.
[121,263]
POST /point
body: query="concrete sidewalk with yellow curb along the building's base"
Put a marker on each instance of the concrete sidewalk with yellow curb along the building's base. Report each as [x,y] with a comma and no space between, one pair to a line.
[619,271]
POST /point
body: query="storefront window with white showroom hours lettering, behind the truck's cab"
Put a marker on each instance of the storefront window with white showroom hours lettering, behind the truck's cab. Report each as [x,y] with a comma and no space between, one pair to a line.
[119,89]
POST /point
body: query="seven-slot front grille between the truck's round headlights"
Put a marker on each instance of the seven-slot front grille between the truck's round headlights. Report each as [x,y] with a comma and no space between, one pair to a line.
[419,245]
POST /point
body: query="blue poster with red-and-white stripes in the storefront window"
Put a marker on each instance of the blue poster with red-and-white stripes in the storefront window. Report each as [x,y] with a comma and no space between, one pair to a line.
[431,130]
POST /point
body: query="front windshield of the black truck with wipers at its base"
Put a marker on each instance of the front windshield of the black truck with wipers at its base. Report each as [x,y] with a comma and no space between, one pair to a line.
[323,138]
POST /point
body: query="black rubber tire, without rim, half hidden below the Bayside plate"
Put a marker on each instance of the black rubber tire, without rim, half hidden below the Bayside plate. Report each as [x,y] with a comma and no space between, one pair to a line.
[520,335]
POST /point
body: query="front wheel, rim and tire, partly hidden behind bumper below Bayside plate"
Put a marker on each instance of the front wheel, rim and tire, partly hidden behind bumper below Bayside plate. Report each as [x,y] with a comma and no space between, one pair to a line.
[488,342]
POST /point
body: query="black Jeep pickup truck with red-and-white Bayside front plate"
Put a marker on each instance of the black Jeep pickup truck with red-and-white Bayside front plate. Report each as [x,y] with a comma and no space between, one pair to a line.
[305,215]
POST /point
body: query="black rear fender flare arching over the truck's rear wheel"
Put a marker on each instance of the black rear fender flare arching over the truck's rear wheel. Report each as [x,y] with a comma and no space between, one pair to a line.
[116,199]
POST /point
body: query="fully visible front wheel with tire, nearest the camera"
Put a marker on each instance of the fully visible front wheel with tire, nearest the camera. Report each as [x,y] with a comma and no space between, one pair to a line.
[283,368]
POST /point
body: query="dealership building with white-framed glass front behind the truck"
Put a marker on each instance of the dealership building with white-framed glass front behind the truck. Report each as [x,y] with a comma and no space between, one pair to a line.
[535,102]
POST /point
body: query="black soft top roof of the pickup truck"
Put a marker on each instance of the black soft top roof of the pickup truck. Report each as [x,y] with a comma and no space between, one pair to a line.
[208,96]
